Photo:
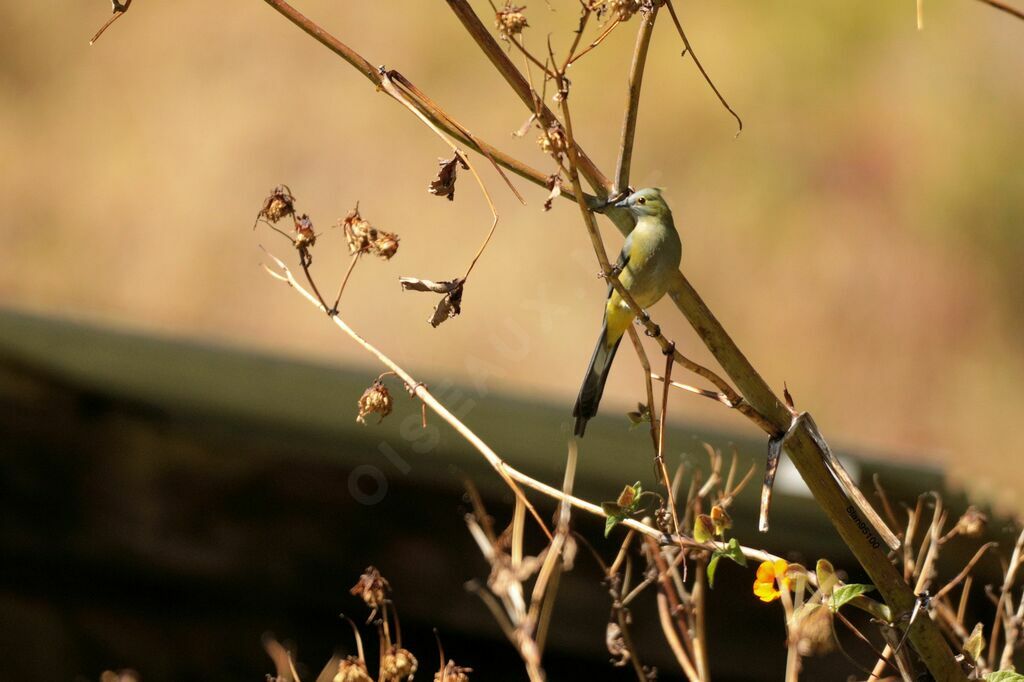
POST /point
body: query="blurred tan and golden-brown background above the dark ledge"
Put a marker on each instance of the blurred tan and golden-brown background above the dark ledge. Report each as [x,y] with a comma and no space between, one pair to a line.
[863,239]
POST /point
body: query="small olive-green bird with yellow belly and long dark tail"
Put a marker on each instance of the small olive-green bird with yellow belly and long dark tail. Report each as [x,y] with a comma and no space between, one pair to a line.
[648,264]
